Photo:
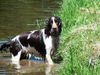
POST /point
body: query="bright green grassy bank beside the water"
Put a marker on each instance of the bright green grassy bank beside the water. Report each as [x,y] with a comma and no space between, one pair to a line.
[80,38]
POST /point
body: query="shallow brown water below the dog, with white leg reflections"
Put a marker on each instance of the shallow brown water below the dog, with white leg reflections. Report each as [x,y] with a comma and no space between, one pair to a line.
[25,67]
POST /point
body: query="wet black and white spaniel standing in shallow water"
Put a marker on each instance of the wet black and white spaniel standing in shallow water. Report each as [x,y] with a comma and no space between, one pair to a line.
[44,41]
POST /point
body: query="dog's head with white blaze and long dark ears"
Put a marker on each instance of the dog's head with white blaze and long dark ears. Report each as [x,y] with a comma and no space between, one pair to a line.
[53,26]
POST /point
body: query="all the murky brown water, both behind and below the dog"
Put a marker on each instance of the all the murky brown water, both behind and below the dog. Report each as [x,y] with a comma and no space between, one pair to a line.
[18,16]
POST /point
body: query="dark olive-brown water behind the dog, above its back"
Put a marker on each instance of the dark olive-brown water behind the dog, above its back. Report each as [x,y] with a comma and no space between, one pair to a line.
[17,16]
